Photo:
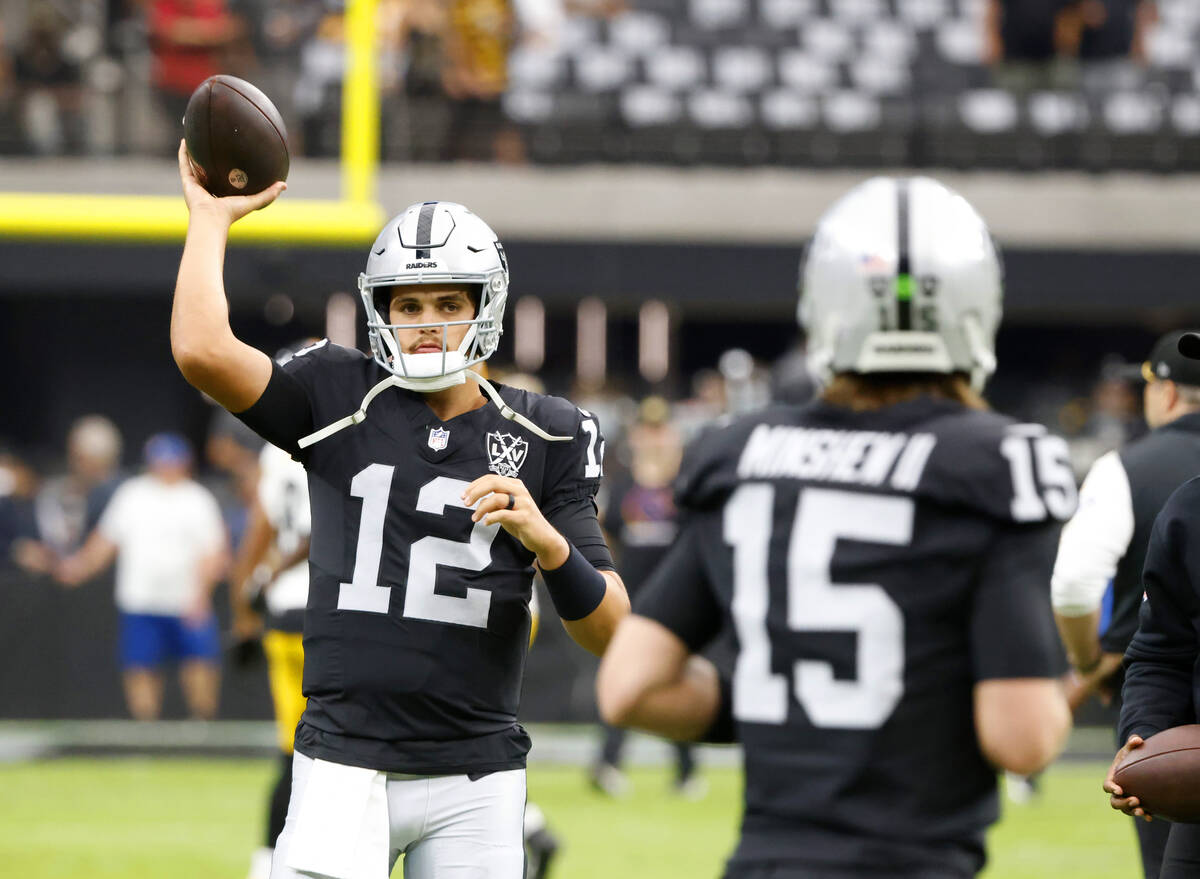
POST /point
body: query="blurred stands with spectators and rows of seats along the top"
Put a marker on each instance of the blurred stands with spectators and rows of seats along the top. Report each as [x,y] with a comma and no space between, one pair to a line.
[513,81]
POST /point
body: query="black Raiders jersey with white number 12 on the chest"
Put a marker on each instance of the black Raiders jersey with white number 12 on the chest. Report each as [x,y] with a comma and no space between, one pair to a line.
[418,620]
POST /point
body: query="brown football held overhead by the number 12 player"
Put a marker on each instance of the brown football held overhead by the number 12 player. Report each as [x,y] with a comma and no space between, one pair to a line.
[236,137]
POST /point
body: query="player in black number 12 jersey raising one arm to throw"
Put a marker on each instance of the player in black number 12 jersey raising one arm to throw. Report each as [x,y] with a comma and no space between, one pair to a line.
[434,494]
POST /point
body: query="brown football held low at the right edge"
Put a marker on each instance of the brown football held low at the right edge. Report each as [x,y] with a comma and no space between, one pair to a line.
[1165,775]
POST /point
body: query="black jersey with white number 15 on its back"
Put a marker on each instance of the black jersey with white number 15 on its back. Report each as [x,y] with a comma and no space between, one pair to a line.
[874,567]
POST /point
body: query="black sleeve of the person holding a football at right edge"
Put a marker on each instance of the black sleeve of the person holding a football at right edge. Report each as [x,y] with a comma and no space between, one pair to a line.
[1160,662]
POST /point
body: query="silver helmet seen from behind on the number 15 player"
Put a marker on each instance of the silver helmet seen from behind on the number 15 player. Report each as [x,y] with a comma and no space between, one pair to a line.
[902,277]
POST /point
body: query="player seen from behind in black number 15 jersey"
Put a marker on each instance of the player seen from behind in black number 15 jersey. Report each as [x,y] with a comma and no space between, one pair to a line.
[884,558]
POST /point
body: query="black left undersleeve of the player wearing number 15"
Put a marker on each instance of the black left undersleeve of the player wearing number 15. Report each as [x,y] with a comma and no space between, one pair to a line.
[680,595]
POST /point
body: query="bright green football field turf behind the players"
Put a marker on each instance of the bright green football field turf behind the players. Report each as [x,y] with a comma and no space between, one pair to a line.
[200,820]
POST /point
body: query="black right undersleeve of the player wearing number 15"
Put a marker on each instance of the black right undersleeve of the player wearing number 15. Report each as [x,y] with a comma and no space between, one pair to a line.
[1012,625]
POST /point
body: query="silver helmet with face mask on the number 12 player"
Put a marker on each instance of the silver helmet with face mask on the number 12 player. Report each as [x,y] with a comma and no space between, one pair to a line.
[435,243]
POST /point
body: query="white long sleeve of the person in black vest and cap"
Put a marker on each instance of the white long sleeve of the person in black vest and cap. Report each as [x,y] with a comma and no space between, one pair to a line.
[1095,541]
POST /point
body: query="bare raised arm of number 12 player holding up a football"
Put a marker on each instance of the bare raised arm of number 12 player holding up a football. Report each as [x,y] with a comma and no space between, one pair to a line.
[206,350]
